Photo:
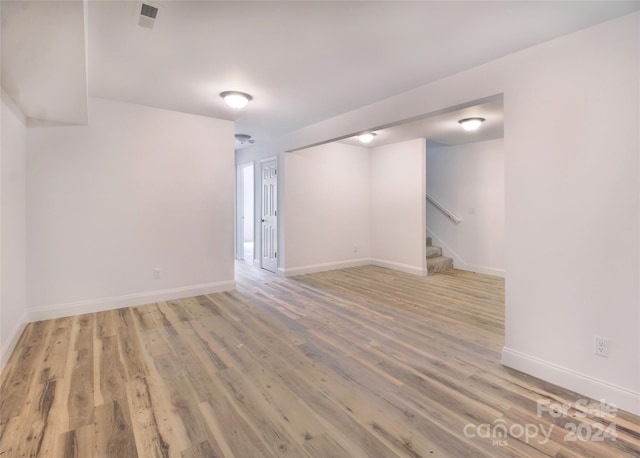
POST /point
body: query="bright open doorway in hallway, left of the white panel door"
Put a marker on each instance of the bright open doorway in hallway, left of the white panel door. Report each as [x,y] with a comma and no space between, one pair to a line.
[245,208]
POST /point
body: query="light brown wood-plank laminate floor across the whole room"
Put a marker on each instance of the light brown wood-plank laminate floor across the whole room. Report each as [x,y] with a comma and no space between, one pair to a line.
[361,362]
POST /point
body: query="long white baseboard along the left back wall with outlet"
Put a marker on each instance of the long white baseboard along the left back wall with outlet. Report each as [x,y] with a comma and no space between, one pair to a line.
[49,312]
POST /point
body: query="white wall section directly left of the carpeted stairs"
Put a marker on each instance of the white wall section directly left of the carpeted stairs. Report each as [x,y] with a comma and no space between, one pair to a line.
[398,206]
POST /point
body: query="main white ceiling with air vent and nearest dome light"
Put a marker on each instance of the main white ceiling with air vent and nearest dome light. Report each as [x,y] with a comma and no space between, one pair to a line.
[302,61]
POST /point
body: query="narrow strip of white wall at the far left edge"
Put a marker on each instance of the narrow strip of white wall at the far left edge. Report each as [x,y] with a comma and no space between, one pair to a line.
[13,303]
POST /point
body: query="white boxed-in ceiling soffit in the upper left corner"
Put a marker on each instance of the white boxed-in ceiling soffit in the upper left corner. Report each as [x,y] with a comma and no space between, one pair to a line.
[44,59]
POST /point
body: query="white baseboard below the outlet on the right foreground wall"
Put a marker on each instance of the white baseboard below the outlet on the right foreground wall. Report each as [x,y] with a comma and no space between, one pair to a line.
[622,398]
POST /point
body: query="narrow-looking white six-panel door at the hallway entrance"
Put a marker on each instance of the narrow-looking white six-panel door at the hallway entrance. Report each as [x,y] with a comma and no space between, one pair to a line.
[269,254]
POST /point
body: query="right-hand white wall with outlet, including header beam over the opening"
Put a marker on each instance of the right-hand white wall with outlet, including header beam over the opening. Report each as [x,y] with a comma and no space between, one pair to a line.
[572,210]
